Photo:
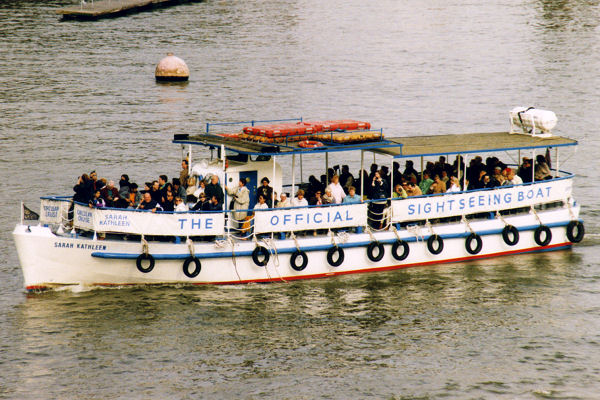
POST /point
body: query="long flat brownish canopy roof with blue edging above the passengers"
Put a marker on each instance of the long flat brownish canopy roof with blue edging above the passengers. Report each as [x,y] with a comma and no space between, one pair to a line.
[397,147]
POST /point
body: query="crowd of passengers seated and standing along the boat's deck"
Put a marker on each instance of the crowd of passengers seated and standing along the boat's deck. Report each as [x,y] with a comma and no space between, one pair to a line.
[339,186]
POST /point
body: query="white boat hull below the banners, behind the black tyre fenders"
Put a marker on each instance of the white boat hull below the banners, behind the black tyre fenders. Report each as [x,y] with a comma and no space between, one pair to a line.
[50,260]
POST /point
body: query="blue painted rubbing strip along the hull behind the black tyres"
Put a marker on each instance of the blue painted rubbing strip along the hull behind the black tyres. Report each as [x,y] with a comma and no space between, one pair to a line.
[128,256]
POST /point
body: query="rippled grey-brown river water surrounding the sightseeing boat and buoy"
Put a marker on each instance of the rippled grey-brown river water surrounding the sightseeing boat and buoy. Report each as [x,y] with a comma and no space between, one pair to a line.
[78,96]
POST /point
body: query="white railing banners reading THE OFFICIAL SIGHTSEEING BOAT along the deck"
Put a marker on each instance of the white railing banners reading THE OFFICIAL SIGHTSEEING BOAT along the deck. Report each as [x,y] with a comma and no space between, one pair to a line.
[376,214]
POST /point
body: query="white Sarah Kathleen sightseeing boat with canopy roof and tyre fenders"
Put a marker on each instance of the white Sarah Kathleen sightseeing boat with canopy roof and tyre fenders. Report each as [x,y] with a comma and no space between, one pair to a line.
[113,247]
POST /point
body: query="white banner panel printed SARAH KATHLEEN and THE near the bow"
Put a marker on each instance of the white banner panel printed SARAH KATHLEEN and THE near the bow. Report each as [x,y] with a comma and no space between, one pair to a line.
[149,223]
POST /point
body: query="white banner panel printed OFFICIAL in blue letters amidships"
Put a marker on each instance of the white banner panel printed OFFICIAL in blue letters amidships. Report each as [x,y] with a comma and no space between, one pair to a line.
[306,218]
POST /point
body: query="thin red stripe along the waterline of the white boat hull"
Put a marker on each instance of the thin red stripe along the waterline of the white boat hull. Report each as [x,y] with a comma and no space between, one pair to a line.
[333,273]
